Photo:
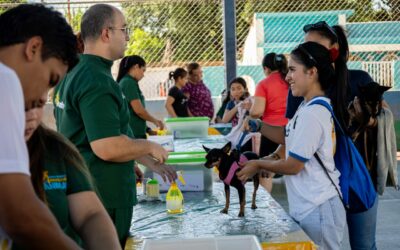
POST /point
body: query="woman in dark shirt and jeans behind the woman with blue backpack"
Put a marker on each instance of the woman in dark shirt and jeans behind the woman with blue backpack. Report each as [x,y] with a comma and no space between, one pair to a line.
[362,226]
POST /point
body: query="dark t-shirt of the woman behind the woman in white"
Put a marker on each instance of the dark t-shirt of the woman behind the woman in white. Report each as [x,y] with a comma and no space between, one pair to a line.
[357,78]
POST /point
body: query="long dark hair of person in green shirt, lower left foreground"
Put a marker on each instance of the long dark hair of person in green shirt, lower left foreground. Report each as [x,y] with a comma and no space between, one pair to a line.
[44,141]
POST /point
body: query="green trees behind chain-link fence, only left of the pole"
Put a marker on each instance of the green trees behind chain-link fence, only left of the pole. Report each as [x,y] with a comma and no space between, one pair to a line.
[188,30]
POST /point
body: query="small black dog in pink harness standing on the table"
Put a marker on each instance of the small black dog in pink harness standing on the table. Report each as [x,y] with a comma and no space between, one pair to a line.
[227,163]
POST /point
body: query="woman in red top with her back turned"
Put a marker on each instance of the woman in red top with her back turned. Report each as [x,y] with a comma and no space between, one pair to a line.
[270,99]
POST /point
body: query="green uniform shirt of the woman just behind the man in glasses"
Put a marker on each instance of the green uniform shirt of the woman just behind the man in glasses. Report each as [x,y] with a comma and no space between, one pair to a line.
[130,88]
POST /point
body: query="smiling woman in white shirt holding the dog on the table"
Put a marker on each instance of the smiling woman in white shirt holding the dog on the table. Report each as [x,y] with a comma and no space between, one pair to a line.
[313,199]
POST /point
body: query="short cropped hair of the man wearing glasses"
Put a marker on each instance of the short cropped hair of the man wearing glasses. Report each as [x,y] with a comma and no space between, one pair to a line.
[95,19]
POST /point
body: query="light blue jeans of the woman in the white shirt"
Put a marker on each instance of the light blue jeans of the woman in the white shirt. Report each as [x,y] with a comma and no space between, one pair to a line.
[325,225]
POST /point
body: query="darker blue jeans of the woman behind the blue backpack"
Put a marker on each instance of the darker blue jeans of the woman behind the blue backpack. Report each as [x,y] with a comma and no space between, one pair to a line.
[362,228]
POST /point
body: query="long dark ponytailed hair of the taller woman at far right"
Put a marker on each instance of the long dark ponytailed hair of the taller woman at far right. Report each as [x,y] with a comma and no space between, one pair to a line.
[338,93]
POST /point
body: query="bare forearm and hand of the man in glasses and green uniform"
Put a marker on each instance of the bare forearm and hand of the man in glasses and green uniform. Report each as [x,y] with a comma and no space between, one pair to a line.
[122,148]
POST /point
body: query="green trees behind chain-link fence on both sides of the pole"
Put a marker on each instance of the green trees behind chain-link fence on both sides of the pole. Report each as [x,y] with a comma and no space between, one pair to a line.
[192,30]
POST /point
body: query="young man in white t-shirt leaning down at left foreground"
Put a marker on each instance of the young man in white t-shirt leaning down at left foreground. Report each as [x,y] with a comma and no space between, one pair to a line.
[37,48]
